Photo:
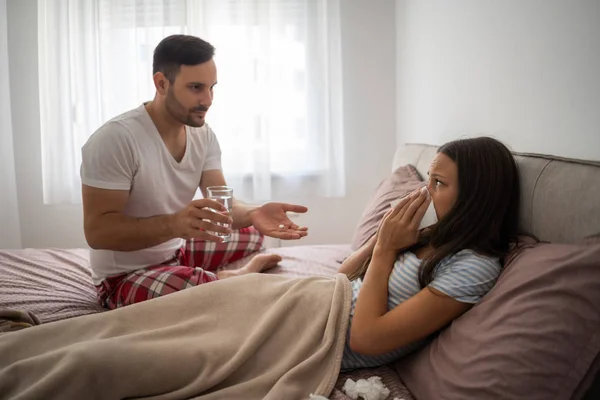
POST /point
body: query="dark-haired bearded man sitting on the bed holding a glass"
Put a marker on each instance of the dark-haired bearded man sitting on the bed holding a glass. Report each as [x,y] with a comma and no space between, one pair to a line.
[140,172]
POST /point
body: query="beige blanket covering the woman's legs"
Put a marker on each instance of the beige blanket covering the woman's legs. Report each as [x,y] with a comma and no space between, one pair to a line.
[251,337]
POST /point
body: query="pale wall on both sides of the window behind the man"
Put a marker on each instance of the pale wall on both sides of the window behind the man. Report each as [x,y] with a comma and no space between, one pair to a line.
[369,36]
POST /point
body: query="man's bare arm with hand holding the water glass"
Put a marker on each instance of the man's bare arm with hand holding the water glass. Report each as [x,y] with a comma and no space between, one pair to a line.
[107,228]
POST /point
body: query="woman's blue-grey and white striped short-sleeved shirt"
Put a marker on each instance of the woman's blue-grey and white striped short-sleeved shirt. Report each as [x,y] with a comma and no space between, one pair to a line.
[465,276]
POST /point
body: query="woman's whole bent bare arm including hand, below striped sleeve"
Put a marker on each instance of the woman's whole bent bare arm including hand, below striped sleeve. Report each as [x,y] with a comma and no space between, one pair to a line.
[375,330]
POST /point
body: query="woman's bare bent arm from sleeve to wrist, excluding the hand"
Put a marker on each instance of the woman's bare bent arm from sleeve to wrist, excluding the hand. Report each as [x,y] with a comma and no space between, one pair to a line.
[375,330]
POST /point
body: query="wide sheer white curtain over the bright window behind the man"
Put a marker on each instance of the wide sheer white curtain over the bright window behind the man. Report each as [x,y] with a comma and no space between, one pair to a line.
[278,105]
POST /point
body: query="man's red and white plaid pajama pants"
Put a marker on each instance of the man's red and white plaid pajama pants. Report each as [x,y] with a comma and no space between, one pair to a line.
[193,265]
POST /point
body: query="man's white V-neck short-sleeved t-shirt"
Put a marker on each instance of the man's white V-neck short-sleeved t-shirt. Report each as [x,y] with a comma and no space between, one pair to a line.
[128,153]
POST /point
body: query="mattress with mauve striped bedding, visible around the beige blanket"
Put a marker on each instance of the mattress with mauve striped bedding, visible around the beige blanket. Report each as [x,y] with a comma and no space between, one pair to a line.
[56,284]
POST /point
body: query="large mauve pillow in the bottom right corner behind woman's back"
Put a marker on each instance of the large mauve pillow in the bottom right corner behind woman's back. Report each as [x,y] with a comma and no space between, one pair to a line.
[535,335]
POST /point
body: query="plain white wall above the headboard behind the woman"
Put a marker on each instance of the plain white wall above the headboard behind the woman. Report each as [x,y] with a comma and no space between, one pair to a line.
[524,71]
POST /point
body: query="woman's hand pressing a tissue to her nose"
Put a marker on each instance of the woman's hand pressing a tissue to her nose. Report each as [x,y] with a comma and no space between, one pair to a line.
[399,228]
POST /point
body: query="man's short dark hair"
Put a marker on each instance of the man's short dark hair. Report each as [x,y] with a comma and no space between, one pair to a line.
[177,50]
